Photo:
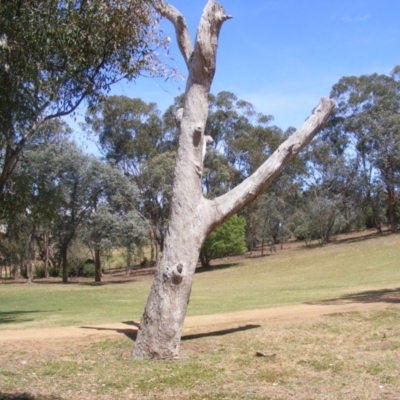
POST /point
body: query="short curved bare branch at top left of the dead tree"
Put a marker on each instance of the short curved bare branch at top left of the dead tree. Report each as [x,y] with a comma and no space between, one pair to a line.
[181,30]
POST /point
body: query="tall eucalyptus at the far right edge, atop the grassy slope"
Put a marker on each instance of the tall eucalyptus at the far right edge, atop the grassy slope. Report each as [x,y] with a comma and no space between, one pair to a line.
[368,109]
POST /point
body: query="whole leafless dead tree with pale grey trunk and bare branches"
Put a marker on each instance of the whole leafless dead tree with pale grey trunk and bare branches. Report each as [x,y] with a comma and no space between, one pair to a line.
[192,217]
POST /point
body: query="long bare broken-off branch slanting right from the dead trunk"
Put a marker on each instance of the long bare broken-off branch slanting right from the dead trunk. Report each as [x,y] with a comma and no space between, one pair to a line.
[231,202]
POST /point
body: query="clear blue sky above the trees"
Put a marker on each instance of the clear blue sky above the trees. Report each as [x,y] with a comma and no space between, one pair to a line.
[284,55]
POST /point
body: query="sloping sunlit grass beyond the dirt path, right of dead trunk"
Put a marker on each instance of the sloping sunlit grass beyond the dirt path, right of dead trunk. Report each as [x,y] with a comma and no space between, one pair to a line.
[300,275]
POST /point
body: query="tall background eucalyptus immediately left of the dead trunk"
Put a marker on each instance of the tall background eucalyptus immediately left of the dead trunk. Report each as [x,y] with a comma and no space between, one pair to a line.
[132,135]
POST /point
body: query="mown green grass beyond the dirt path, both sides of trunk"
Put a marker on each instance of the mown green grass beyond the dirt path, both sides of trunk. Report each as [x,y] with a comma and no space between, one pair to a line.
[289,277]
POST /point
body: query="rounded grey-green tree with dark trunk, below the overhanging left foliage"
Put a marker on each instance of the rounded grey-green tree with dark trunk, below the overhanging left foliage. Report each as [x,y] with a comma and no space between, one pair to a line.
[57,186]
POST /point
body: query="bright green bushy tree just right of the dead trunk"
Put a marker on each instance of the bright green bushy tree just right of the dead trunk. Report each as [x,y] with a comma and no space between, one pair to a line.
[226,240]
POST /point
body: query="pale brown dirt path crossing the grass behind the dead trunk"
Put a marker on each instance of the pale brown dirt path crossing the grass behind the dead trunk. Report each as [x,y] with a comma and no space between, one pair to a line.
[48,340]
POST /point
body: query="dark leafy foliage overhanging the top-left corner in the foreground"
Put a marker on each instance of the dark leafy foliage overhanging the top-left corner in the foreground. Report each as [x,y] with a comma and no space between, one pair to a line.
[55,54]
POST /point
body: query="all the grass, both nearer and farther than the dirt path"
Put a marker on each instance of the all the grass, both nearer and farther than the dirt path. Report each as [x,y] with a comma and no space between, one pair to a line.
[343,356]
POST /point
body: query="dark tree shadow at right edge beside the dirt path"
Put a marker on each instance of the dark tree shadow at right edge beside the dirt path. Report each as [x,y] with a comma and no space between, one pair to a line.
[391,296]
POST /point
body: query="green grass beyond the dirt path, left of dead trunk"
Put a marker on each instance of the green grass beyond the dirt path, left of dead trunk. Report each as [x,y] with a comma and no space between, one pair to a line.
[40,305]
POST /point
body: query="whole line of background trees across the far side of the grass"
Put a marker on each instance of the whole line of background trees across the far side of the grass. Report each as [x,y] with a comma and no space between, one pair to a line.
[349,178]
